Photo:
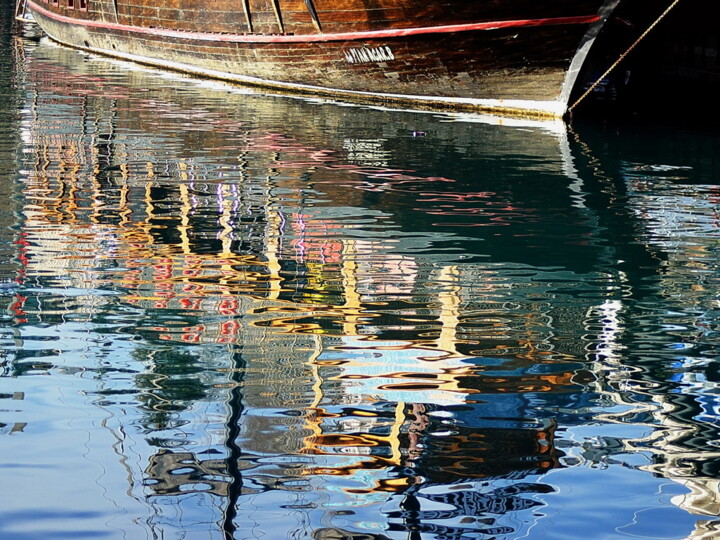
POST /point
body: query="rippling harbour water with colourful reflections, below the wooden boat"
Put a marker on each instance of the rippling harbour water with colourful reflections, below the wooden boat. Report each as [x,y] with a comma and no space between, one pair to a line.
[234,315]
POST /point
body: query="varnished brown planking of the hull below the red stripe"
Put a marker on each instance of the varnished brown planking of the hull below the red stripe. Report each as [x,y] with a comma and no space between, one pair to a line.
[418,67]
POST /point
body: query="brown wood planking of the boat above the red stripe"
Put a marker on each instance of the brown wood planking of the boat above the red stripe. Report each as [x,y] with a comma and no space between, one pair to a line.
[227,16]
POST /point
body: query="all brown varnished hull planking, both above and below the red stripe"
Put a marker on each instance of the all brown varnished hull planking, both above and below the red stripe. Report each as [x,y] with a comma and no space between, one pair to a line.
[526,63]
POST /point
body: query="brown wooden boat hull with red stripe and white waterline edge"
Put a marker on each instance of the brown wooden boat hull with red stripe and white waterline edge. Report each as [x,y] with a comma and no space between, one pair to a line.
[521,66]
